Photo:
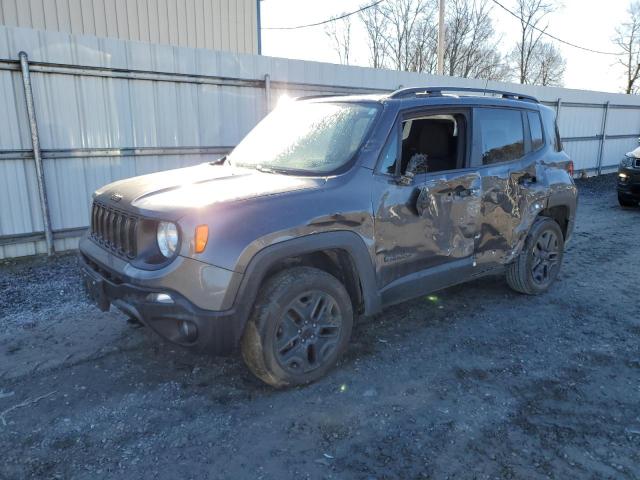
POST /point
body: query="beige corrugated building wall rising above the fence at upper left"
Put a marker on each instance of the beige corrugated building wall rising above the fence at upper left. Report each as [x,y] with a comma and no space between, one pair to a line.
[191,23]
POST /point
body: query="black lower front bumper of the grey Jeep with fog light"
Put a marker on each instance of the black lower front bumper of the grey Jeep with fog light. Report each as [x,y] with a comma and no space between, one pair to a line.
[181,322]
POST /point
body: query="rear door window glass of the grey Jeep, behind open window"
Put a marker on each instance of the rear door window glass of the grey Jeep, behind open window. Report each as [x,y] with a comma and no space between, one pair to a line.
[502,134]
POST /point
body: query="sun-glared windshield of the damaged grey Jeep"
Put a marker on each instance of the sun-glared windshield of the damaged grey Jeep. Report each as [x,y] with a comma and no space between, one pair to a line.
[306,137]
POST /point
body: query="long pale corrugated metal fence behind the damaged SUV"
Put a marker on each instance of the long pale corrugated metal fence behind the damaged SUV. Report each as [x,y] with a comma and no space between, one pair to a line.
[110,109]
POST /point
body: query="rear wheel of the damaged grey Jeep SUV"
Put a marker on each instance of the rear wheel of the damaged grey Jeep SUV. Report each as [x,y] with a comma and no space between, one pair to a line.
[535,269]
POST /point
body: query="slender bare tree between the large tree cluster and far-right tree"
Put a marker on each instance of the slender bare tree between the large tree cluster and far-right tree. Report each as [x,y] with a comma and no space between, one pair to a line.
[533,24]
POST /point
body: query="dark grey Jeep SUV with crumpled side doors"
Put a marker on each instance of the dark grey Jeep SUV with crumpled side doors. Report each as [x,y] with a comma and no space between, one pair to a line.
[333,207]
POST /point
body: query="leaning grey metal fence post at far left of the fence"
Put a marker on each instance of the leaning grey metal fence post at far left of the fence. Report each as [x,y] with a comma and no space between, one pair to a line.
[35,142]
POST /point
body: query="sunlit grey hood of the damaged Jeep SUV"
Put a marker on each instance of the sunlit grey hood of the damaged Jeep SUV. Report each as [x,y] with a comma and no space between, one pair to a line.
[198,187]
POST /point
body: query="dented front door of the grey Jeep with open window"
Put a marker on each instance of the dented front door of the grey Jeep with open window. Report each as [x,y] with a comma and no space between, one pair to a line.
[425,226]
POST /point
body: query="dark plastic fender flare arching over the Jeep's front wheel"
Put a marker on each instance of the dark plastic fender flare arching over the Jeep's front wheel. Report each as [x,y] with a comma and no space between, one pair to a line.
[345,240]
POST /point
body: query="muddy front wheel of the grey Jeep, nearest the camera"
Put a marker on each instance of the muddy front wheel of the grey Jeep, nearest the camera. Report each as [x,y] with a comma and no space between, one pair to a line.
[299,326]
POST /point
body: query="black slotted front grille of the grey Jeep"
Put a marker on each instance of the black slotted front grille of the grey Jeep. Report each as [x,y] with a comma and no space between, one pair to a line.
[114,230]
